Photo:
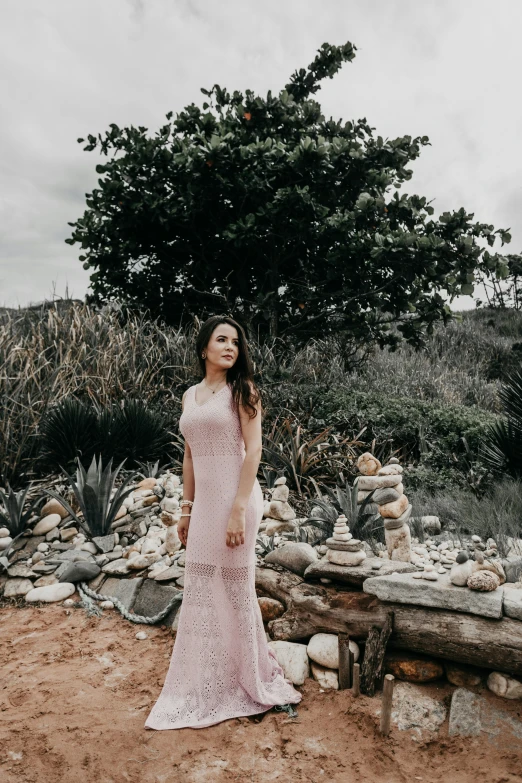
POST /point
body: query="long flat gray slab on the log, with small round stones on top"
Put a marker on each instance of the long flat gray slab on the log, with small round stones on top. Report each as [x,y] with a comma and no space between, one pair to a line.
[403,588]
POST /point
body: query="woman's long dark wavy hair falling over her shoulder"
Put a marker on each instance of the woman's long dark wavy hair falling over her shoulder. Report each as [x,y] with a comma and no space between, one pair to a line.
[241,375]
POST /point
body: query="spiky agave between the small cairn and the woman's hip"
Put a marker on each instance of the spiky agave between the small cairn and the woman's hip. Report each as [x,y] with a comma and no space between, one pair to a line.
[361,522]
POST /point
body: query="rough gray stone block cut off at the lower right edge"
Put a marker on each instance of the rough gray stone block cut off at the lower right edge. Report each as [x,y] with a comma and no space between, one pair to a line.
[473,716]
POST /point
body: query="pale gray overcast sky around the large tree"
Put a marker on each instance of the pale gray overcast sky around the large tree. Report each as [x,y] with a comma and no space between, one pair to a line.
[447,69]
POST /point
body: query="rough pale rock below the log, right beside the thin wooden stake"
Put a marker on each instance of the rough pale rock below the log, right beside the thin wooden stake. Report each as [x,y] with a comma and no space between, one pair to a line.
[412,709]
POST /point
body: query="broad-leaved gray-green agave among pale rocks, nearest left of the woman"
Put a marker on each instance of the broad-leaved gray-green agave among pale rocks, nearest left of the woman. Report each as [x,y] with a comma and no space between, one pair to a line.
[93,490]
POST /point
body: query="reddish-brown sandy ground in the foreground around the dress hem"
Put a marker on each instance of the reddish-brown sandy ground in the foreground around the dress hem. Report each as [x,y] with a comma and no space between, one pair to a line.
[75,693]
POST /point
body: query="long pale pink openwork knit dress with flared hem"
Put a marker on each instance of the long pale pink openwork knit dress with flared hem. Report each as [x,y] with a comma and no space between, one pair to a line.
[221,666]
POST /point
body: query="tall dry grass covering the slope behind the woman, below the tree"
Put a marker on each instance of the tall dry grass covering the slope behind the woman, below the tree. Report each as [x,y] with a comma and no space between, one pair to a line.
[70,348]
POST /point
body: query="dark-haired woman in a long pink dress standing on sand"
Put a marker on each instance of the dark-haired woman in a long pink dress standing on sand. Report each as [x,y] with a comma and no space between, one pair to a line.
[221,666]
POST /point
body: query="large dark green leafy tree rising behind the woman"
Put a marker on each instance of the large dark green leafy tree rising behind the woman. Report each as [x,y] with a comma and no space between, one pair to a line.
[293,223]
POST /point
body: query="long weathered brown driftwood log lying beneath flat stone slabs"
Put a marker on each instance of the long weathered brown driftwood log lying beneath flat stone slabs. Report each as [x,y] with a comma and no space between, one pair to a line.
[465,638]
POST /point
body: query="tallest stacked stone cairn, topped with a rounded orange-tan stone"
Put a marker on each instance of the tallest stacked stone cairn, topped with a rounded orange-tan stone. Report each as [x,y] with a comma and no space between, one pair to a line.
[390,500]
